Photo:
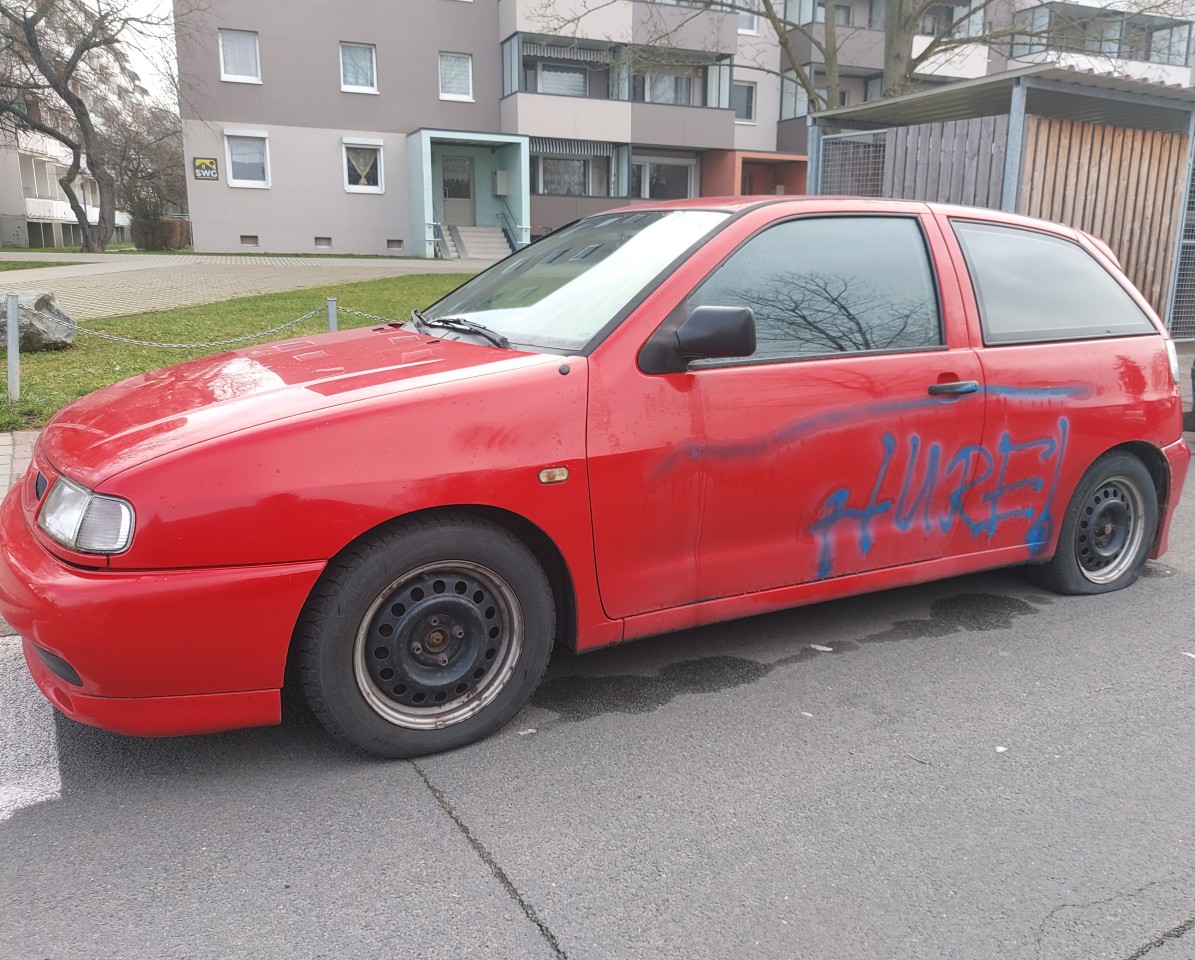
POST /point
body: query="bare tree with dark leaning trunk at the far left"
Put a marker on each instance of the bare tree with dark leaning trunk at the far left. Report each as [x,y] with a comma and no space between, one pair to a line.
[65,74]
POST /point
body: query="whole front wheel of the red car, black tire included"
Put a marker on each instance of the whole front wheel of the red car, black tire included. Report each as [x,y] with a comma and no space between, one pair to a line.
[426,637]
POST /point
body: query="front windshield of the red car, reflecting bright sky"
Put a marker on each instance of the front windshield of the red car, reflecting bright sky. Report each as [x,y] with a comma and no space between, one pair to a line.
[562,291]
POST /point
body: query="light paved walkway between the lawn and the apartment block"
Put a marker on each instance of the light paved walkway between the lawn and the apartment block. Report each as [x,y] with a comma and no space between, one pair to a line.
[117,285]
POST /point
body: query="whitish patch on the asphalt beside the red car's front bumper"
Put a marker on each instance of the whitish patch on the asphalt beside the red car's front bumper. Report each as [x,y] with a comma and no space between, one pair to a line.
[29,748]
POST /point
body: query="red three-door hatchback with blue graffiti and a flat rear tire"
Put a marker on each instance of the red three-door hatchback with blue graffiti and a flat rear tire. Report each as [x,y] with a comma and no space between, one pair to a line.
[652,419]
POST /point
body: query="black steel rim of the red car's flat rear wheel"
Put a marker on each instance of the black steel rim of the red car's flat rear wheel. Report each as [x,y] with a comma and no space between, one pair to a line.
[1111,530]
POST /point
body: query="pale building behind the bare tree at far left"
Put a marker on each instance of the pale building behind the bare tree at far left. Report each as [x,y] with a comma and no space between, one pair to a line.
[34,210]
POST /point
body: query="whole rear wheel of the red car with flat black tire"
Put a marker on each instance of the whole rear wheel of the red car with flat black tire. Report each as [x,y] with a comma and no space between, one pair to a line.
[1107,533]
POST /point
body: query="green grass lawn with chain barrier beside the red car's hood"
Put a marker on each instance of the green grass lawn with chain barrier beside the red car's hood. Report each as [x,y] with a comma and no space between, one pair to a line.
[52,380]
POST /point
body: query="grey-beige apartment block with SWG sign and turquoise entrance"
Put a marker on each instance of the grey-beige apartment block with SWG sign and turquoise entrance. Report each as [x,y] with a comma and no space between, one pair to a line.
[410,129]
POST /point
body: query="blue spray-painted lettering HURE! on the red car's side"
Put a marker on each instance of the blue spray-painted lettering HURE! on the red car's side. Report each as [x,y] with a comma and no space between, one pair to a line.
[972,468]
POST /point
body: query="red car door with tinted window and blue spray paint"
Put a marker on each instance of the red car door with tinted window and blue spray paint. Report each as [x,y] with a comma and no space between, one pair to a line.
[832,450]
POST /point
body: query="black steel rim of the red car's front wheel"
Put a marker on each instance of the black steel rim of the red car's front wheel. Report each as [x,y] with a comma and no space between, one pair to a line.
[480,663]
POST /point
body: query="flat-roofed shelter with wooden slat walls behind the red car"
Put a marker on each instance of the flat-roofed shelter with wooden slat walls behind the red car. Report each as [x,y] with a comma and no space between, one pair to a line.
[1106,155]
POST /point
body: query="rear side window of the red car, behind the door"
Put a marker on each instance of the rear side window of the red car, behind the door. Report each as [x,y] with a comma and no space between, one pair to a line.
[1035,288]
